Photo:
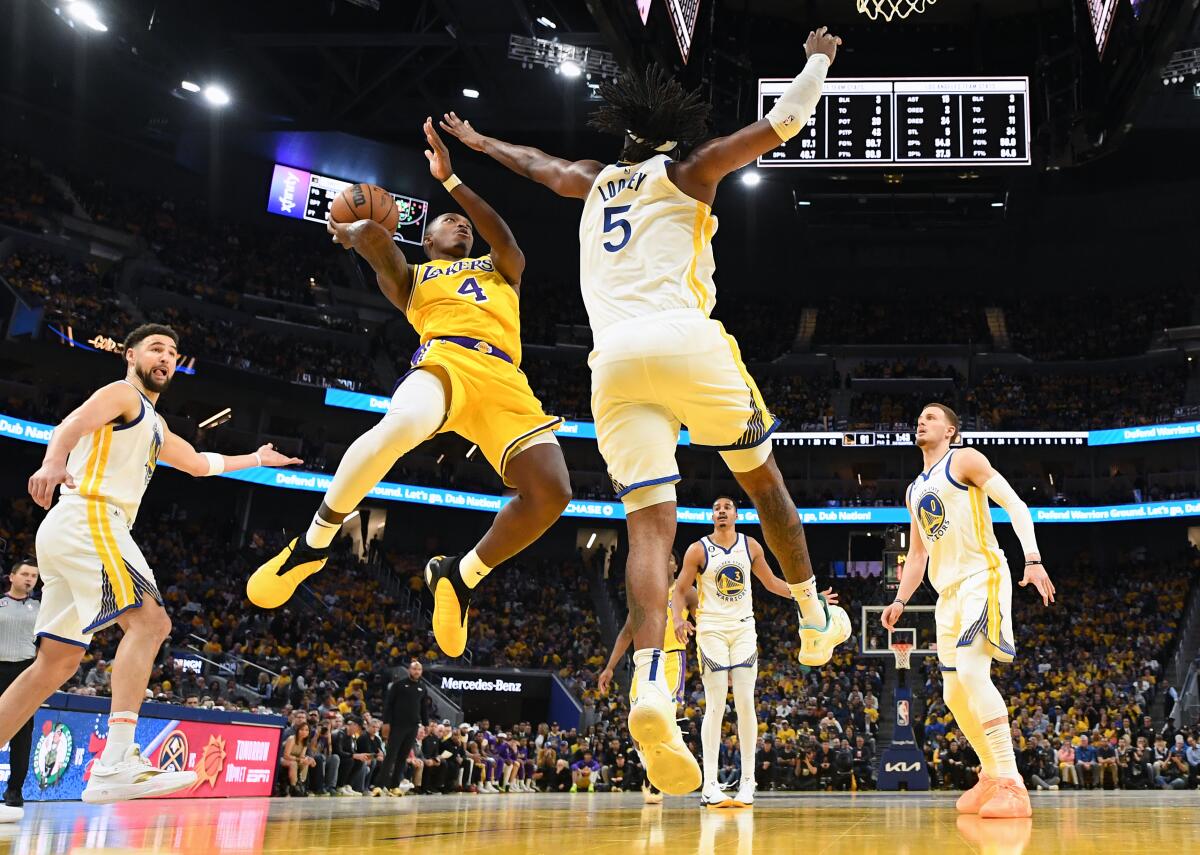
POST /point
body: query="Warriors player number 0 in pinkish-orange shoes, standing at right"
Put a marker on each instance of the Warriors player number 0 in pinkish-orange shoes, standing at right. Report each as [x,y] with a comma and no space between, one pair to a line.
[952,530]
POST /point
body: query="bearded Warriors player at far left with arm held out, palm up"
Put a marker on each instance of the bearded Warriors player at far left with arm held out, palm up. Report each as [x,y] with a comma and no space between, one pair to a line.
[104,456]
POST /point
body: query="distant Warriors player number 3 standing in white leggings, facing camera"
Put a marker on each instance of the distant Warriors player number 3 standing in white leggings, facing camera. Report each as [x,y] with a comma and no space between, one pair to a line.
[727,639]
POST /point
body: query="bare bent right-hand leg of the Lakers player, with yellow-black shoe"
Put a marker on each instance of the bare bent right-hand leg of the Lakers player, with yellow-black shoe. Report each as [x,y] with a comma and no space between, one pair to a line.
[543,492]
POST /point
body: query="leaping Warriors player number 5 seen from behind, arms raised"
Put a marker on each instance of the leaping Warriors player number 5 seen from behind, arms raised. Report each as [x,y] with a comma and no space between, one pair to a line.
[659,361]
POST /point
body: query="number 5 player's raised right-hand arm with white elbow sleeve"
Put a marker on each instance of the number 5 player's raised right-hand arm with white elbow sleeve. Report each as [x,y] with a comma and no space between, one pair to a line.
[701,172]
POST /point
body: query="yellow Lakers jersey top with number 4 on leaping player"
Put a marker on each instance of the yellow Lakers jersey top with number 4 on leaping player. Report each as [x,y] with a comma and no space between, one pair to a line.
[467,297]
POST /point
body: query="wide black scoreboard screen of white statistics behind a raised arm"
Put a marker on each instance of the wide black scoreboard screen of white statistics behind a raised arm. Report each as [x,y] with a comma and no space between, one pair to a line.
[909,122]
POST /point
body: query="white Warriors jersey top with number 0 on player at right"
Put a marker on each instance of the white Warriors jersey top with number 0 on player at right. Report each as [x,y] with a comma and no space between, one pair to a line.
[956,525]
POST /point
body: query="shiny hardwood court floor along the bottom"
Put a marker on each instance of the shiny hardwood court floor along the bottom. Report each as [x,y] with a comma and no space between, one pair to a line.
[601,824]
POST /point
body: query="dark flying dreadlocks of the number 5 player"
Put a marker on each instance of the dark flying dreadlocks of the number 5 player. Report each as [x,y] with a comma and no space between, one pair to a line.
[655,107]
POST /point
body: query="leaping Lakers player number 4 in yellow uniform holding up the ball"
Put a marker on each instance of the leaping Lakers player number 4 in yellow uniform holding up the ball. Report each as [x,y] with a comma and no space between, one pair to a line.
[465,379]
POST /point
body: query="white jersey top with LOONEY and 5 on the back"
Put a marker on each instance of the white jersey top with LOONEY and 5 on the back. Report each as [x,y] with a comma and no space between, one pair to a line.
[645,247]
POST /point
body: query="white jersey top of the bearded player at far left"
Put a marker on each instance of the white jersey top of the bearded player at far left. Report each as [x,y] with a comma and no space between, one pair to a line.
[116,463]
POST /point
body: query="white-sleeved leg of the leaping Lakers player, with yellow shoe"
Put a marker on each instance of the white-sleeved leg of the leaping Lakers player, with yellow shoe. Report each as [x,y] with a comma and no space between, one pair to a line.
[417,412]
